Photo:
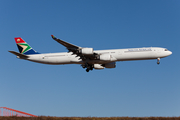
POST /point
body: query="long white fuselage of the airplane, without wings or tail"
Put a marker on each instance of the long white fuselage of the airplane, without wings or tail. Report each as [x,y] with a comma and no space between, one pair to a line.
[116,55]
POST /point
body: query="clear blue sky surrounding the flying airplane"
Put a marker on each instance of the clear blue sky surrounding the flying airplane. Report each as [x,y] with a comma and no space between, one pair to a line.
[134,88]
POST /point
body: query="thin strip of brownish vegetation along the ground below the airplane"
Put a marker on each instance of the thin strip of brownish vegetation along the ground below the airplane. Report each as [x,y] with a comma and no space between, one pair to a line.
[87,118]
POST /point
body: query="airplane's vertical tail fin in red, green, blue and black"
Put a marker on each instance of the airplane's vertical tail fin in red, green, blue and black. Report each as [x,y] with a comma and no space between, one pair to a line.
[23,47]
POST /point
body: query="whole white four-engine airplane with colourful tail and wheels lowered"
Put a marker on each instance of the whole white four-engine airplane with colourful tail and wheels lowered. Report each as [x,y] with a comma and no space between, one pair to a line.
[88,58]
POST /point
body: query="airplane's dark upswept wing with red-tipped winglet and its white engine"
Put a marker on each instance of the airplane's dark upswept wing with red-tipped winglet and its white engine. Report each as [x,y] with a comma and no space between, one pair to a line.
[83,53]
